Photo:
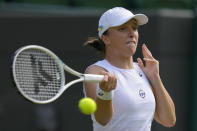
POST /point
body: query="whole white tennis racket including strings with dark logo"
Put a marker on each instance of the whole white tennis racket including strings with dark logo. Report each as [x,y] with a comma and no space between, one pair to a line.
[39,74]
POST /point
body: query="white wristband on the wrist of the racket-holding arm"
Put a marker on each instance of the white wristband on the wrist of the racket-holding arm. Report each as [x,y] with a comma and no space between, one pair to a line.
[104,95]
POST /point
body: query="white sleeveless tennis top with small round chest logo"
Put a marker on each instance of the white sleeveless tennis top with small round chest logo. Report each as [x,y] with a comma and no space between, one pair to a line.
[133,101]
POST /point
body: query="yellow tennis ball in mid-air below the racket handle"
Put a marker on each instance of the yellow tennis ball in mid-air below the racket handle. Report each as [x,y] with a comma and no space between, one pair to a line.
[87,106]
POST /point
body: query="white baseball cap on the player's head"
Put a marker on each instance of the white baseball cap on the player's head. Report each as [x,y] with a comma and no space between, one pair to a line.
[118,16]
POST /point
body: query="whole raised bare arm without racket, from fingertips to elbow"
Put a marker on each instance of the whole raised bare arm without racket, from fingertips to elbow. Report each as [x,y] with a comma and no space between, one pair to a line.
[165,109]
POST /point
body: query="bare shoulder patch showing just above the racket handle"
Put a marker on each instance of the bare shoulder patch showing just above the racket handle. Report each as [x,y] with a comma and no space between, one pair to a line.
[94,69]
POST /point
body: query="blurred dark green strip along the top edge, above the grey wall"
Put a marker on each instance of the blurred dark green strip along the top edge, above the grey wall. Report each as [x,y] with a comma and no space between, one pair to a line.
[137,4]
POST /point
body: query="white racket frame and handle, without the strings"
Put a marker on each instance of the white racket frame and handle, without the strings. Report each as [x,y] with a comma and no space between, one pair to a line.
[62,66]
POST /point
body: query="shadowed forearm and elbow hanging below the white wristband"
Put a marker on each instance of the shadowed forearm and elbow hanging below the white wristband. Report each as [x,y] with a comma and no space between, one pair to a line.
[104,111]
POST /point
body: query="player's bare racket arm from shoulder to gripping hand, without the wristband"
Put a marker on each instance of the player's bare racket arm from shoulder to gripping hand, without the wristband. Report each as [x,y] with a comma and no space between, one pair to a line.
[104,110]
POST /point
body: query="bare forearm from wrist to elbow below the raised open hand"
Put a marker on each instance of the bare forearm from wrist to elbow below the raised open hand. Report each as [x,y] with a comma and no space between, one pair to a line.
[165,108]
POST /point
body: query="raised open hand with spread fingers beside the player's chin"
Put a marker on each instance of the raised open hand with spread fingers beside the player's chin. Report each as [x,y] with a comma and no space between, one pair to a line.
[151,67]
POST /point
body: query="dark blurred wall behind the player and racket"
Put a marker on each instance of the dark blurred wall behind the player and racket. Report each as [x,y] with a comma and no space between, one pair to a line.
[168,35]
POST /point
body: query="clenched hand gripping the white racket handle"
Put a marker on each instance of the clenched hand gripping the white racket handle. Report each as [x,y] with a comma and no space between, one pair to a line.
[109,82]
